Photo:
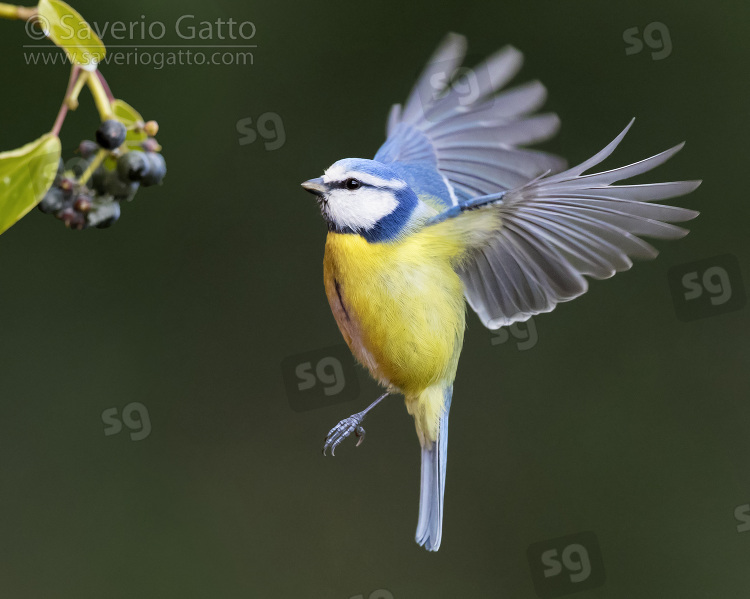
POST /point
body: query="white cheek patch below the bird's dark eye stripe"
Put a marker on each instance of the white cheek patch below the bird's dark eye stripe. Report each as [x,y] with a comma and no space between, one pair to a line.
[361,209]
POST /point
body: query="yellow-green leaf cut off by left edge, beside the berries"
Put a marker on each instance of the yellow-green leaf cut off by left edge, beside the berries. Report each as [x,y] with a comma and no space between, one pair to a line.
[25,176]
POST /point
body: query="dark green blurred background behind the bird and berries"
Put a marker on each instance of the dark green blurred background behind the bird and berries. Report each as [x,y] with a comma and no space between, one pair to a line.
[622,420]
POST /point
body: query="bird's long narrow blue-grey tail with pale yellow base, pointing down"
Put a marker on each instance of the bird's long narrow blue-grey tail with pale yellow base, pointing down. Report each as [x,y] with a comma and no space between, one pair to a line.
[431,418]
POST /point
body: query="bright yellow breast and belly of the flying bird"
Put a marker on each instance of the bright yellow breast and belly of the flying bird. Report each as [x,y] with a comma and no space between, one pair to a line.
[399,305]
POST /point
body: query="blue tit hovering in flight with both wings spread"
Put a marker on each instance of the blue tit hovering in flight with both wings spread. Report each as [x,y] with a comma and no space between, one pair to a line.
[454,209]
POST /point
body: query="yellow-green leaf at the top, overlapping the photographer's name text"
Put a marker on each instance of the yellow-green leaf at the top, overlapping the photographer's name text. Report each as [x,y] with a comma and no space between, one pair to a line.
[68,29]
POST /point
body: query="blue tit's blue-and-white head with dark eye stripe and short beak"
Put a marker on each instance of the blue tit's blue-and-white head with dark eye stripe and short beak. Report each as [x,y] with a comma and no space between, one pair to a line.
[365,197]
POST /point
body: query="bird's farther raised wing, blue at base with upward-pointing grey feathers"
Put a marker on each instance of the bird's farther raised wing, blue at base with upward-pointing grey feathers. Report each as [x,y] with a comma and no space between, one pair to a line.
[456,138]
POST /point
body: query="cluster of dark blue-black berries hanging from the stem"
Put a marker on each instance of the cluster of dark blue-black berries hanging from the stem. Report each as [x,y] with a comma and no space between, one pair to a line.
[109,171]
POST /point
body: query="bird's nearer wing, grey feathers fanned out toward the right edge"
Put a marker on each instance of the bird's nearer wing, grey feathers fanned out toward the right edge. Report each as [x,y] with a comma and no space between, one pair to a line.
[557,229]
